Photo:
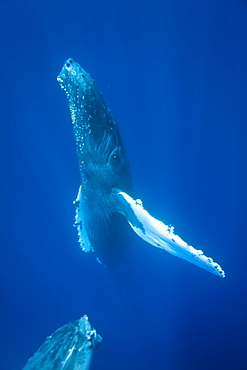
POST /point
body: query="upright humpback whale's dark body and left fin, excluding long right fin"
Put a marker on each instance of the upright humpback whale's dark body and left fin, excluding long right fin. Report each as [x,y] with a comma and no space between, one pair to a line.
[103,166]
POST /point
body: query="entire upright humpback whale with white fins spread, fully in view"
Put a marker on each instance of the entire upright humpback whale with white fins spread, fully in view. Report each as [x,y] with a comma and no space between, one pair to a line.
[105,195]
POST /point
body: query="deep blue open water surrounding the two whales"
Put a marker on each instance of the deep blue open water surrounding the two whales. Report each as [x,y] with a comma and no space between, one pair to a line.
[174,74]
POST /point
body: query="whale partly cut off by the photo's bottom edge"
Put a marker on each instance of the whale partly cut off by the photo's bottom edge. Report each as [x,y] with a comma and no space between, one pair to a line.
[70,347]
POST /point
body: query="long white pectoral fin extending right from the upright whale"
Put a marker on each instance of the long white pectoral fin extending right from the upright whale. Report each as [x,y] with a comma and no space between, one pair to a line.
[158,234]
